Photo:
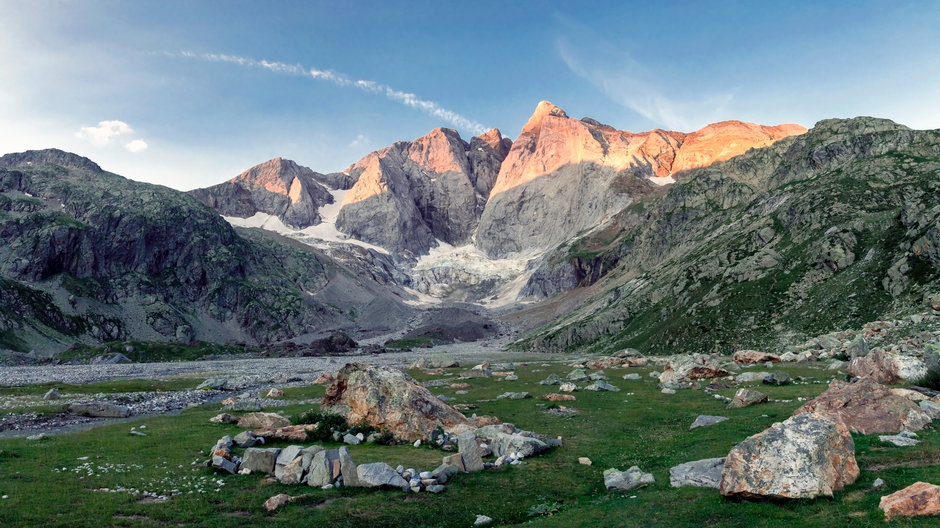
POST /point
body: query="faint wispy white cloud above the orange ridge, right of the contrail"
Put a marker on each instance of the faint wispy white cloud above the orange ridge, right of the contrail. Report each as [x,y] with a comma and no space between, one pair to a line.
[631,84]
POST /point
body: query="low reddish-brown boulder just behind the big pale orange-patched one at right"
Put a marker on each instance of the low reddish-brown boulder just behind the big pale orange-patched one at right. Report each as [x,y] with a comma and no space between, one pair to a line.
[867,407]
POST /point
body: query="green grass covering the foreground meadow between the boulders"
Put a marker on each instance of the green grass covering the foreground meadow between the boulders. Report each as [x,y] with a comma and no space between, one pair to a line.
[645,428]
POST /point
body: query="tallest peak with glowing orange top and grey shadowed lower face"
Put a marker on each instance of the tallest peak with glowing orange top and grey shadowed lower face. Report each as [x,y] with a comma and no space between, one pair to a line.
[564,175]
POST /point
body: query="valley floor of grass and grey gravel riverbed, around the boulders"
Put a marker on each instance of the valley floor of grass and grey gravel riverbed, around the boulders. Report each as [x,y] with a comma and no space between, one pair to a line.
[114,475]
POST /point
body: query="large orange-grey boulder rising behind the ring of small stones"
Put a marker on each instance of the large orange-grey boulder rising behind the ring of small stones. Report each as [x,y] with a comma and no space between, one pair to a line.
[388,399]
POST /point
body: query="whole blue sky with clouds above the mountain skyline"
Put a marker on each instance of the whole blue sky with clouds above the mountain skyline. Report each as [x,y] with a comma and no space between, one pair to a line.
[189,94]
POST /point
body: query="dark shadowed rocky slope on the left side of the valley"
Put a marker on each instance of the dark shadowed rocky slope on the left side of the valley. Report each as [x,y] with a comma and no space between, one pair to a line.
[89,256]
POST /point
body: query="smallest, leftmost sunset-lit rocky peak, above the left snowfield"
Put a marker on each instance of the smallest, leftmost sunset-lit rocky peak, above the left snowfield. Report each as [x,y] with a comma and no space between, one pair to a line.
[277,187]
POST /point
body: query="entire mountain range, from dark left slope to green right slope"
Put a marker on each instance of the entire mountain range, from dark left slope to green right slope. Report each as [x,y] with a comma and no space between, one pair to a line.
[575,233]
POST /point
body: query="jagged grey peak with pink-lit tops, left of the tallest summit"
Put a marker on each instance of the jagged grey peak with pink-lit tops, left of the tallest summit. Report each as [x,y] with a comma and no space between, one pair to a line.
[411,195]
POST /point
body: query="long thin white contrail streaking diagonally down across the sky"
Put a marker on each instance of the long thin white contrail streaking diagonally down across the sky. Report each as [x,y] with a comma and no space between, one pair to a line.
[408,99]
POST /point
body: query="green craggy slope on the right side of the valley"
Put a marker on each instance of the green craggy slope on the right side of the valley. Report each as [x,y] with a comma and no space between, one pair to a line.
[825,230]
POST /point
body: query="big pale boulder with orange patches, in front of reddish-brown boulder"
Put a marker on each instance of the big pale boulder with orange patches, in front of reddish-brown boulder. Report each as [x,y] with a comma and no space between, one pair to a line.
[806,456]
